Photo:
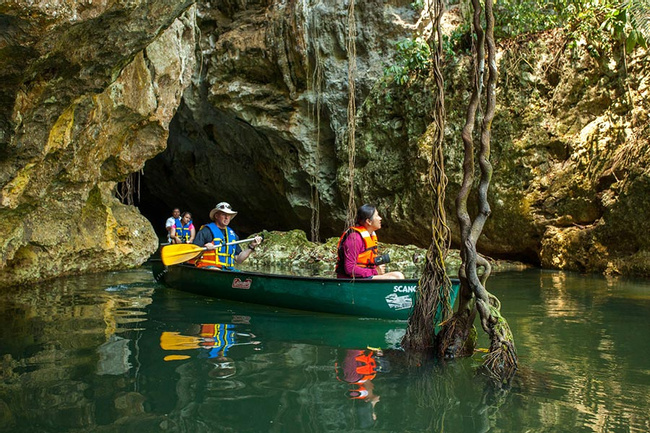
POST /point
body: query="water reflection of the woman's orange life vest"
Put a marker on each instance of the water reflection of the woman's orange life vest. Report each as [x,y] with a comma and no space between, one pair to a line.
[358,368]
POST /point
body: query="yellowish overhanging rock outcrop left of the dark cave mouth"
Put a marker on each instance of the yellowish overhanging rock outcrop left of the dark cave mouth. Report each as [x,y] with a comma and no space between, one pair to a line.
[88,91]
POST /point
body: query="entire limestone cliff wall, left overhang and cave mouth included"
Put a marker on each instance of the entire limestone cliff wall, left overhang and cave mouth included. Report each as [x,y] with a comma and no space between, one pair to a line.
[228,91]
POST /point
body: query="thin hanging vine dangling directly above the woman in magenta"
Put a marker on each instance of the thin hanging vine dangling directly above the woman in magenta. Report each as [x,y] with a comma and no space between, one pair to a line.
[352,109]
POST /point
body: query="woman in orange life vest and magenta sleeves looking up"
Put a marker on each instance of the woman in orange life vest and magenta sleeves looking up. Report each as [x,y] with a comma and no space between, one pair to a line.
[357,249]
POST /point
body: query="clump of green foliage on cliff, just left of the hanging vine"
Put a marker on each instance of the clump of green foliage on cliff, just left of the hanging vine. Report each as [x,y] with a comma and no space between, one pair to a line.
[412,60]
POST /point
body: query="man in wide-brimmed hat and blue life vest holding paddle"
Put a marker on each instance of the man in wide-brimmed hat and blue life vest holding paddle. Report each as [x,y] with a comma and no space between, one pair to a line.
[216,236]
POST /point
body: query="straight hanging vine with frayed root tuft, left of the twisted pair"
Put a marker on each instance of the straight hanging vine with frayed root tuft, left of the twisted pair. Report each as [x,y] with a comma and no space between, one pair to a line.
[434,289]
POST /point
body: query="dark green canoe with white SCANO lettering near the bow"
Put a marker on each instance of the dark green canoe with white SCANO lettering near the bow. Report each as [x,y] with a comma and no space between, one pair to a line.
[387,299]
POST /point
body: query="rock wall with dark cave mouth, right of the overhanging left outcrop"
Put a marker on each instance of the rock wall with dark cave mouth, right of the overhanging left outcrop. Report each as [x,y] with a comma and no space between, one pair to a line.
[248,132]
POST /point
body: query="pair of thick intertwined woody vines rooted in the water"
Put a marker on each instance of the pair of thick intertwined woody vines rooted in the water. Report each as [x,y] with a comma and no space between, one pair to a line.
[501,361]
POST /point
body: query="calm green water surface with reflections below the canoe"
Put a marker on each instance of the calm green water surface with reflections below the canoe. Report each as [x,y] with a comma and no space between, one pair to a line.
[118,353]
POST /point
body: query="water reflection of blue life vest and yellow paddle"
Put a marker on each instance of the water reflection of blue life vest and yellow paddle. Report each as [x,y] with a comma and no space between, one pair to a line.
[213,340]
